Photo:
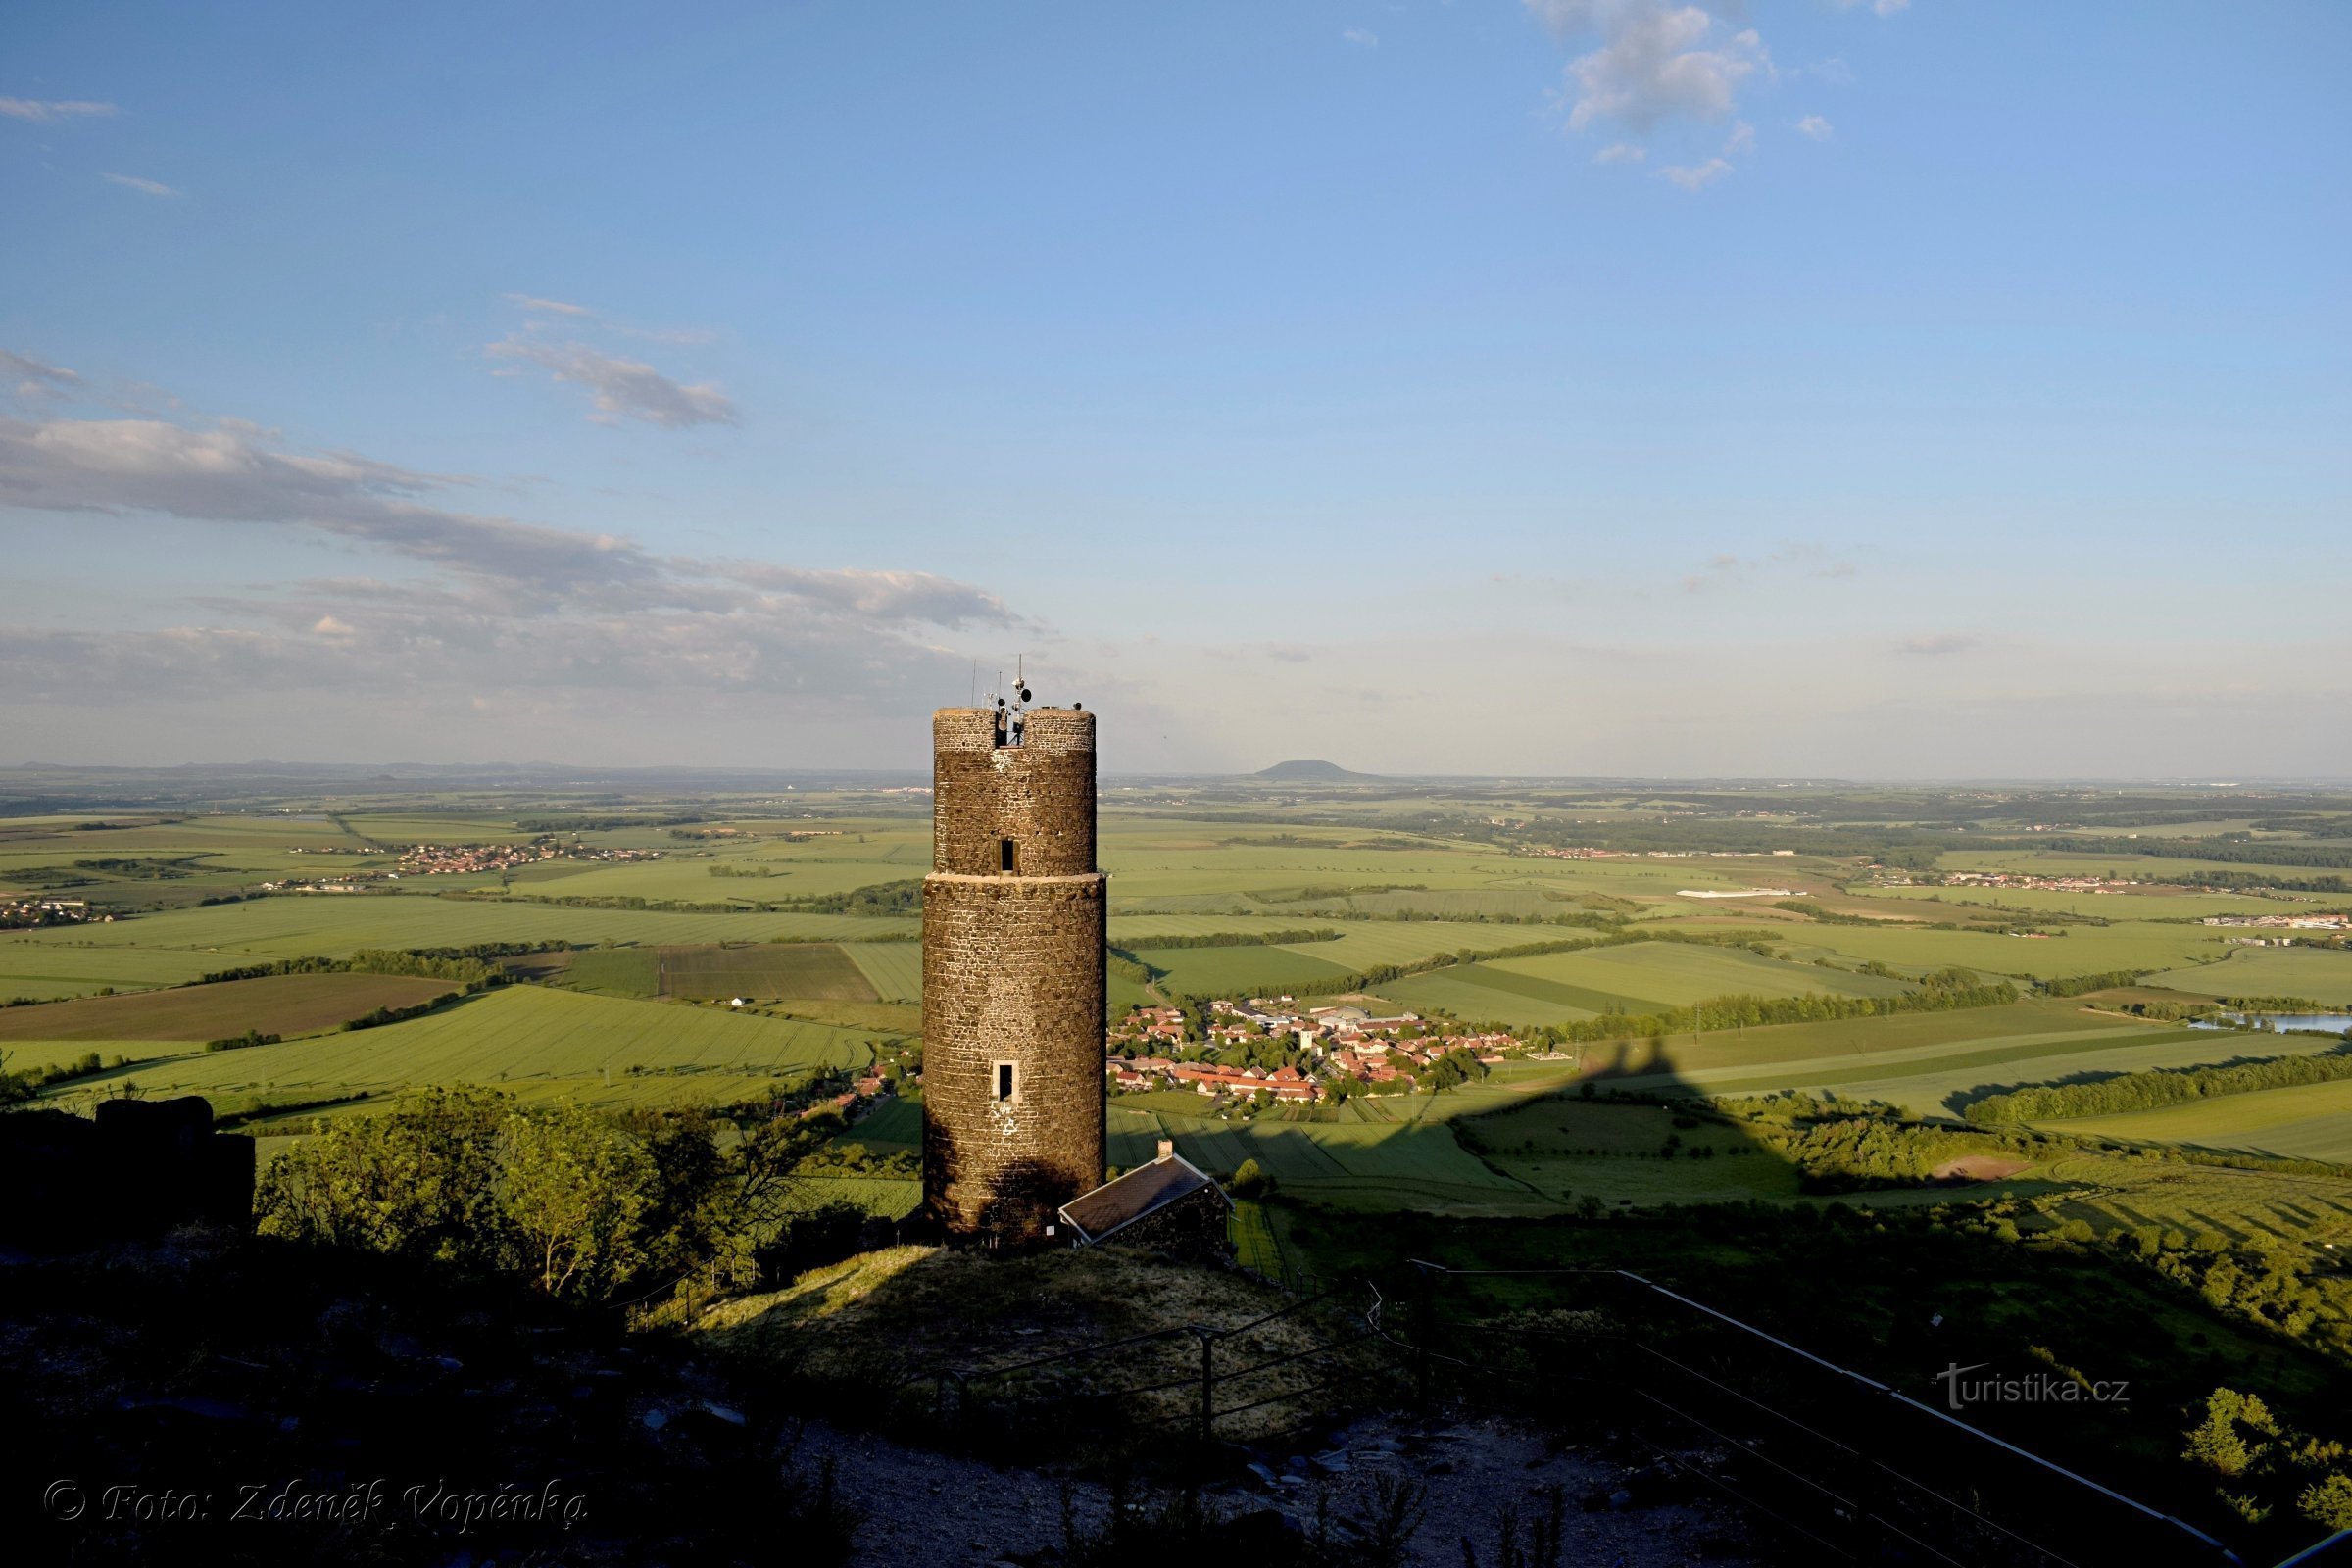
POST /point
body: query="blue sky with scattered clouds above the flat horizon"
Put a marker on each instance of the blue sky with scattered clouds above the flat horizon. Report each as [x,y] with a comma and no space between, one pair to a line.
[1556,387]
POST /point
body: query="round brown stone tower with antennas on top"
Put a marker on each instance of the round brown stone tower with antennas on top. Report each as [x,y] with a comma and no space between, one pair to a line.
[1013,972]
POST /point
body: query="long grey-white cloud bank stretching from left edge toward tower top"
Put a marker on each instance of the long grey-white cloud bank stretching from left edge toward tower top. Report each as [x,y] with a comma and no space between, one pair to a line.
[549,610]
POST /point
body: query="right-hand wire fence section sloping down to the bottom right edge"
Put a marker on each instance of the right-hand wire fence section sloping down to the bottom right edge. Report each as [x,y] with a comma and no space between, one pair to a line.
[1852,1468]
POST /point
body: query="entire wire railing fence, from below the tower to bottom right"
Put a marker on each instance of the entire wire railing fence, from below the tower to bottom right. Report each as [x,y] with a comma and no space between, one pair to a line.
[1836,1461]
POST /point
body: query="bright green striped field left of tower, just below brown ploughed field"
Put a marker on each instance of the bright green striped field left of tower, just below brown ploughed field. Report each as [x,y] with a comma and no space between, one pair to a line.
[537,1043]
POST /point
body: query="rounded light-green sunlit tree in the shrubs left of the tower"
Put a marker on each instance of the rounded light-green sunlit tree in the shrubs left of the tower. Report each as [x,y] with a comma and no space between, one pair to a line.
[577,1193]
